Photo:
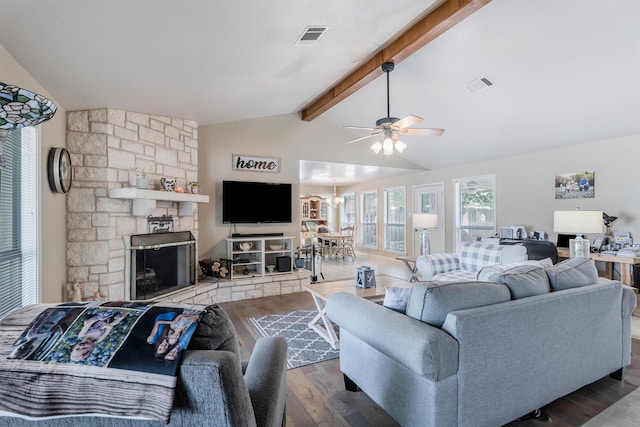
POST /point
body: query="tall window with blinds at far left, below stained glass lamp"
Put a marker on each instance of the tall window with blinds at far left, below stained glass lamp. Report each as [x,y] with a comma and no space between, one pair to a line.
[19,264]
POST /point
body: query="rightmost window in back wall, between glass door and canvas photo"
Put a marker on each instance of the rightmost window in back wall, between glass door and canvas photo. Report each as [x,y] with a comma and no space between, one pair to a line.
[475,208]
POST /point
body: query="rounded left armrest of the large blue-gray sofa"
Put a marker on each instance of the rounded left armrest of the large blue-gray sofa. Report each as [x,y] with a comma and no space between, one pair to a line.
[422,348]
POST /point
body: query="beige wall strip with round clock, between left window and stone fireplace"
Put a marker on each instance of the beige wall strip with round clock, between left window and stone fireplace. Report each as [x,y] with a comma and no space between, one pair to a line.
[52,206]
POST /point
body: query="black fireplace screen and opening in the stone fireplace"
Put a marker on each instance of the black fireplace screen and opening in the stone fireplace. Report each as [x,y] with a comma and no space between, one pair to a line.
[162,263]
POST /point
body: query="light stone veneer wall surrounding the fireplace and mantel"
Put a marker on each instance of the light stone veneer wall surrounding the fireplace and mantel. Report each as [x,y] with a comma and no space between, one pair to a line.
[106,145]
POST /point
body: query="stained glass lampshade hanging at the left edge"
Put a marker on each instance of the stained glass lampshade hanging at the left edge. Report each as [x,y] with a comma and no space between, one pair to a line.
[21,108]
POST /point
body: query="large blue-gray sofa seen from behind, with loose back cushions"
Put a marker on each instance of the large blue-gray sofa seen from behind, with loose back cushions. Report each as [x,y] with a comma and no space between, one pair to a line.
[486,353]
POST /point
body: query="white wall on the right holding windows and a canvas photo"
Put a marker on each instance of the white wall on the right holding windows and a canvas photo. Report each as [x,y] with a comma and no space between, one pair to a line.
[525,185]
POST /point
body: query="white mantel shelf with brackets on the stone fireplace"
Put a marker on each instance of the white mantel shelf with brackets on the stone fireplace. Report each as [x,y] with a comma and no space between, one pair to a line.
[144,201]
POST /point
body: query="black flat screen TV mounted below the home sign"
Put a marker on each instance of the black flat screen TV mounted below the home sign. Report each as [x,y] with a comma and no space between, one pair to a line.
[255,202]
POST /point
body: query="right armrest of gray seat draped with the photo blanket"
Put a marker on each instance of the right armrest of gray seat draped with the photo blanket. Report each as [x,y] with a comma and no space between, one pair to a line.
[266,379]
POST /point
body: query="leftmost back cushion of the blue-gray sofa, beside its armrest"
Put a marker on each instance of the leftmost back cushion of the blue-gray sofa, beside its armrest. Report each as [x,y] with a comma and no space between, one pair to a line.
[430,302]
